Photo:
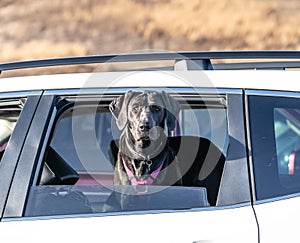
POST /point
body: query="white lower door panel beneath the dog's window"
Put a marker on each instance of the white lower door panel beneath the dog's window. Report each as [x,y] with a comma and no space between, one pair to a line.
[226,225]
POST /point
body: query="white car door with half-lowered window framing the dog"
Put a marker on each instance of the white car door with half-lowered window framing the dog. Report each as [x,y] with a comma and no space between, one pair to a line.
[64,177]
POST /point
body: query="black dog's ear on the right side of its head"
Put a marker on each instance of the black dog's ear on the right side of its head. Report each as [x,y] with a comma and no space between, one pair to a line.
[172,107]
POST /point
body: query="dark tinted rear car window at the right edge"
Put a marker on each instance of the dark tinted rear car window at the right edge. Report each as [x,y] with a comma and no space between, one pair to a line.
[275,130]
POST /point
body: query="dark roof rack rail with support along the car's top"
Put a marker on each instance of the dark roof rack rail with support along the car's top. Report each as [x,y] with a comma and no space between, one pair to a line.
[183,60]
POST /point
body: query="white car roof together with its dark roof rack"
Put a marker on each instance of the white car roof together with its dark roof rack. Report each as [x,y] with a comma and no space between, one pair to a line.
[266,70]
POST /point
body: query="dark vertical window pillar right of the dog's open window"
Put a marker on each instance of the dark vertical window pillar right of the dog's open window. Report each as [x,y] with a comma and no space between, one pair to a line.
[237,156]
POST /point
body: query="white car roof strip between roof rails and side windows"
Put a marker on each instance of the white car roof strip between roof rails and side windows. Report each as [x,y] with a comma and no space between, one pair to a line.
[260,79]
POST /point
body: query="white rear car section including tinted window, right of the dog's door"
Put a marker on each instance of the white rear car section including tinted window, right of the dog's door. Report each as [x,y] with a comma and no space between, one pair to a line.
[274,124]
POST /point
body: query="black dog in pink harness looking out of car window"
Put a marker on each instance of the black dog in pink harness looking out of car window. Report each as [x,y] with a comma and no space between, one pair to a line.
[144,156]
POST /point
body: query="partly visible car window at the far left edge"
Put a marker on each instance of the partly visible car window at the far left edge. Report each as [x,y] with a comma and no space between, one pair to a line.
[10,110]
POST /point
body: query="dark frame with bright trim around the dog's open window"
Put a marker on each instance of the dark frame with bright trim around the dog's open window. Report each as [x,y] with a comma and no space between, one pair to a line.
[45,117]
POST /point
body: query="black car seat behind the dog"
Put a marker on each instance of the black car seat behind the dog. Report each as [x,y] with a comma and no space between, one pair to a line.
[201,162]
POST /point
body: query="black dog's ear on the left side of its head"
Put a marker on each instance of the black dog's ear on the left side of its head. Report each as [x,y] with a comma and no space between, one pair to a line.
[118,108]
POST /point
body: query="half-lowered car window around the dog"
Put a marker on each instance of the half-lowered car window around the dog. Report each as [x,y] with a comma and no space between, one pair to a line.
[77,174]
